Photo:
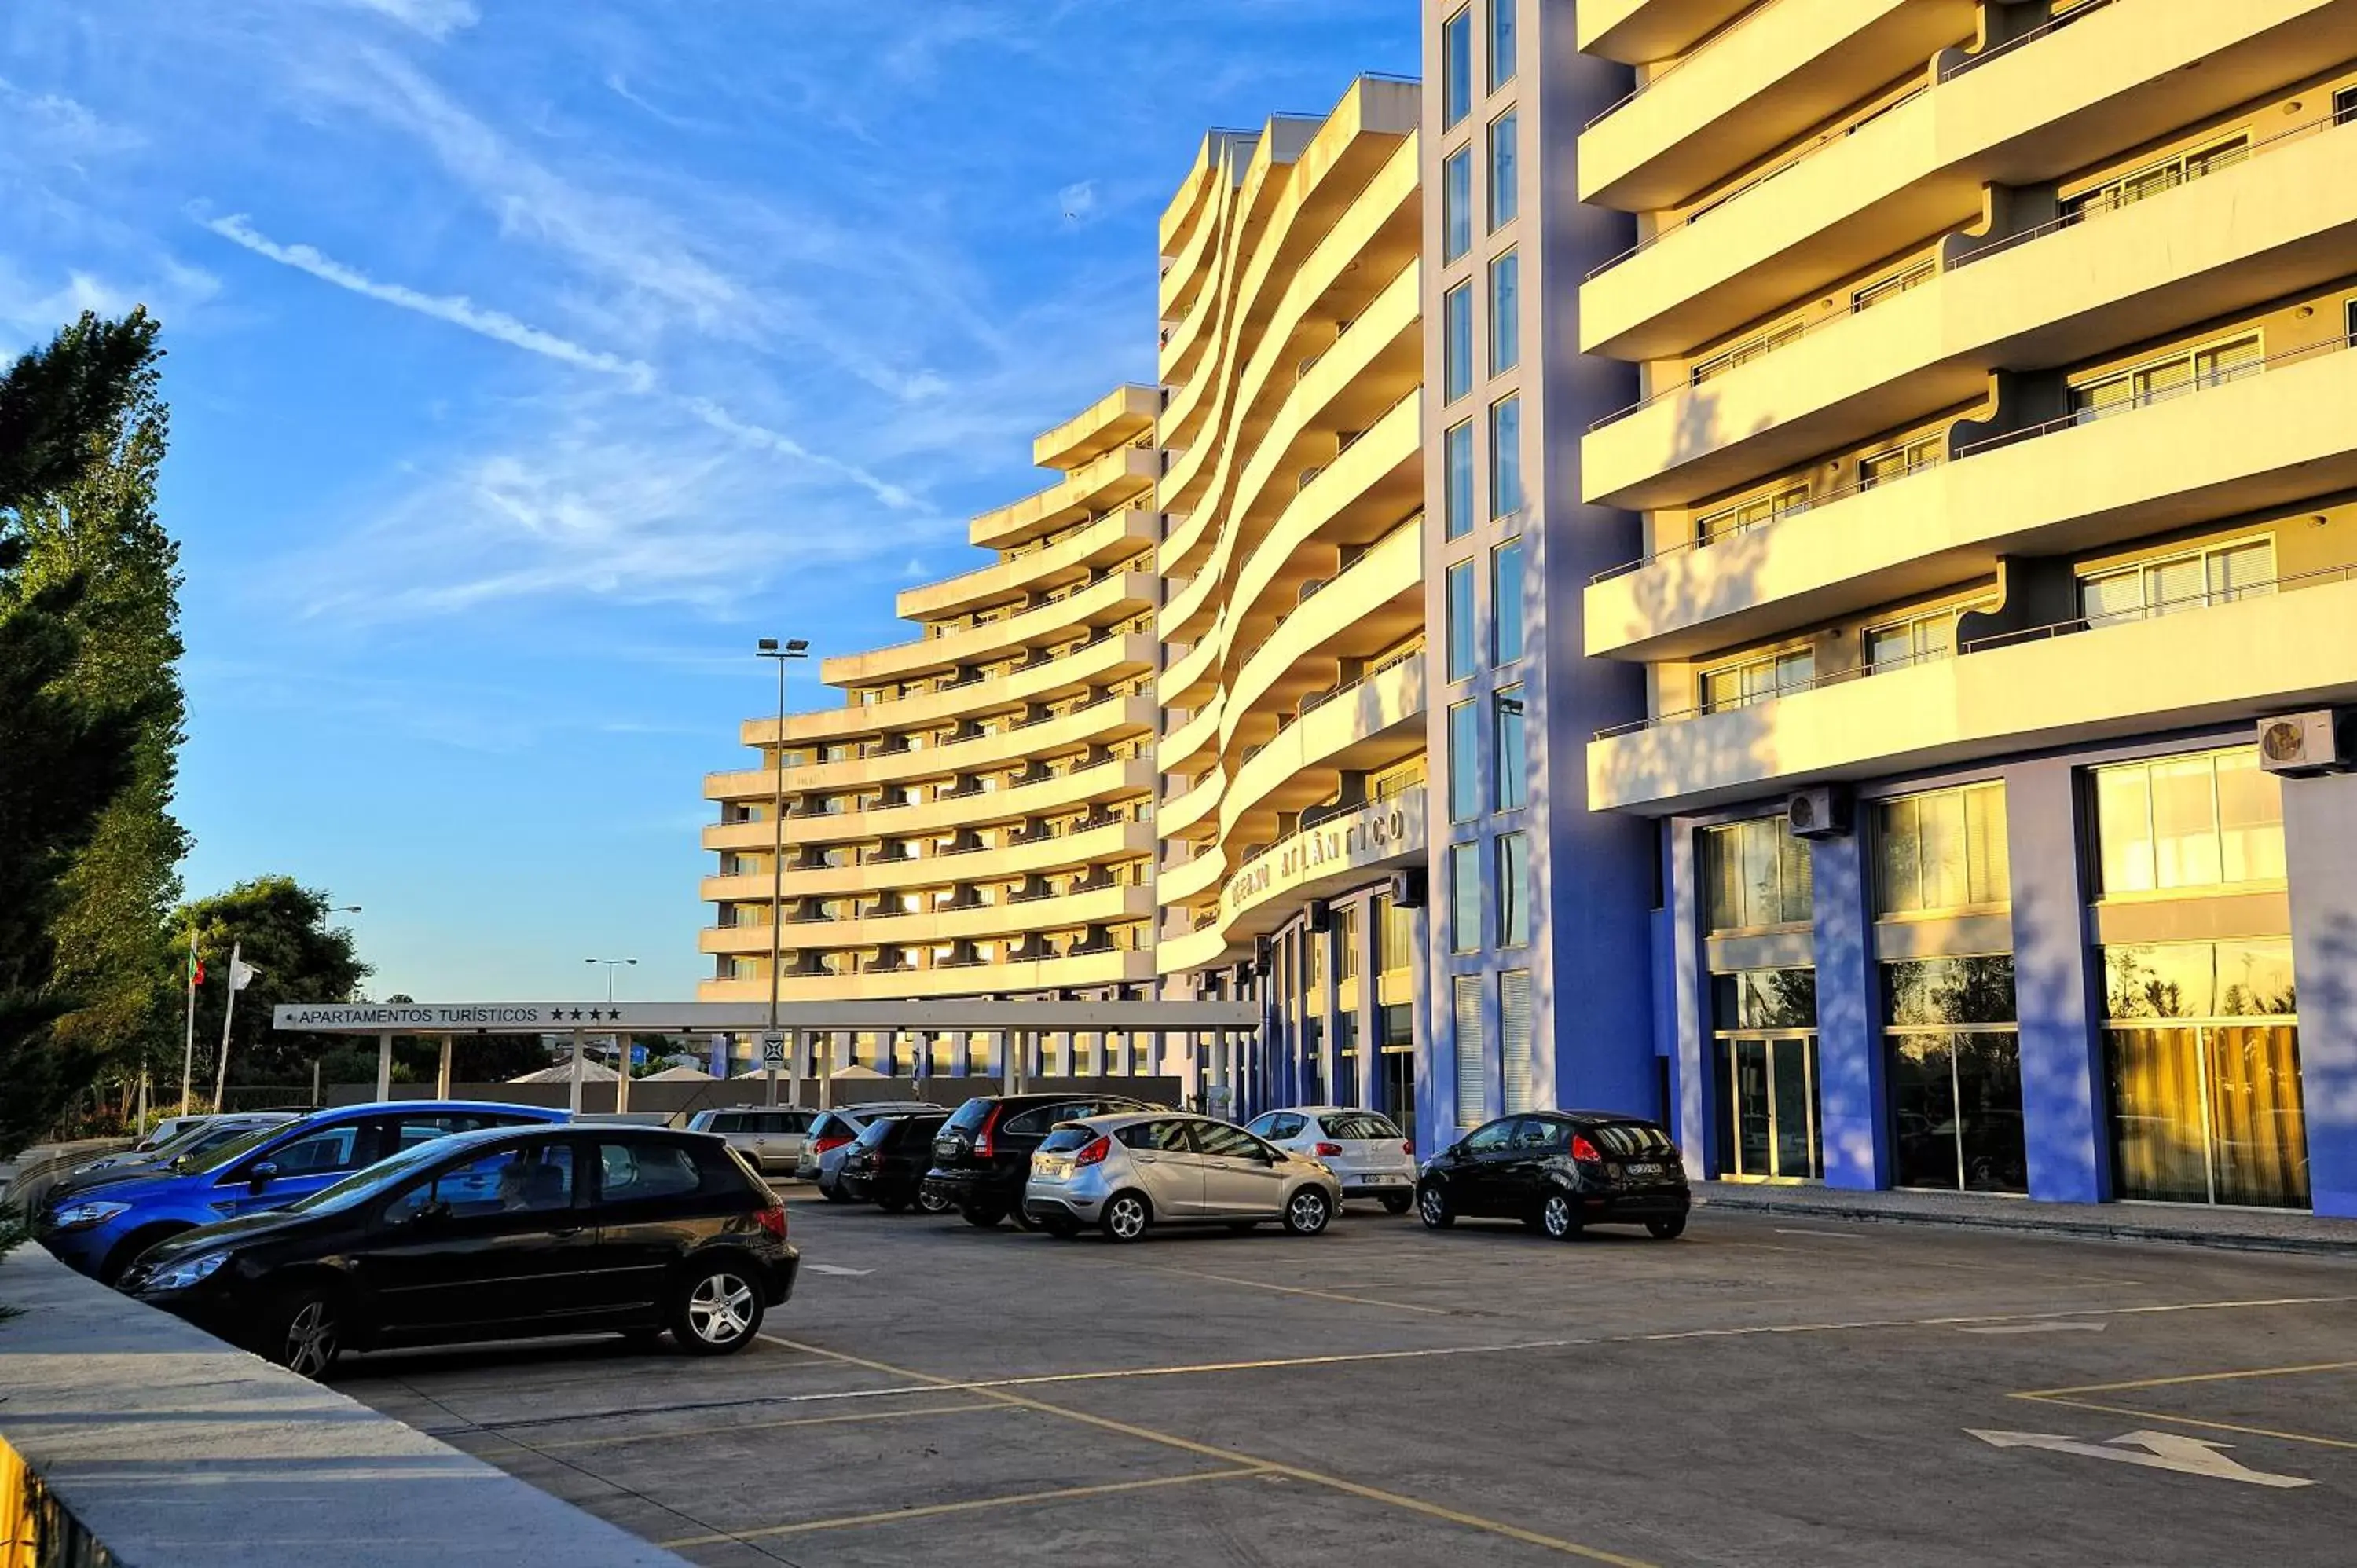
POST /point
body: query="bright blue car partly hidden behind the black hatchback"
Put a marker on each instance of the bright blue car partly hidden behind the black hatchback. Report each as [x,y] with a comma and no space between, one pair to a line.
[107,1230]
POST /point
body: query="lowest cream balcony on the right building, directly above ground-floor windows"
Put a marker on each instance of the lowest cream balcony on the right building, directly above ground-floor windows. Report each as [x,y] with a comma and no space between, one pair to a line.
[2203,666]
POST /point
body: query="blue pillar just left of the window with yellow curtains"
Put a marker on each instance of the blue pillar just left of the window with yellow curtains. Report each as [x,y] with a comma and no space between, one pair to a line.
[2056,989]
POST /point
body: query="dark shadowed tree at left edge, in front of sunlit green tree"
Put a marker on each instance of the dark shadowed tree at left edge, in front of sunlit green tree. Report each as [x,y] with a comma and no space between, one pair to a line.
[65,753]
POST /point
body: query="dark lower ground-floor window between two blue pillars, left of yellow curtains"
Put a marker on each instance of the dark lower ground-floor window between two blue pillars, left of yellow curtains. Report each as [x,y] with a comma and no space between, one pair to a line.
[1955,1074]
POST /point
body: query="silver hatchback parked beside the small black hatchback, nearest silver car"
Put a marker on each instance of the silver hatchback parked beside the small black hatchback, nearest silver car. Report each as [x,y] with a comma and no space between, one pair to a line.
[1142,1168]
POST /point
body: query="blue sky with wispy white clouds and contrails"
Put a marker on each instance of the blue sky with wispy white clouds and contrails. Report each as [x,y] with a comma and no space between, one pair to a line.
[529,360]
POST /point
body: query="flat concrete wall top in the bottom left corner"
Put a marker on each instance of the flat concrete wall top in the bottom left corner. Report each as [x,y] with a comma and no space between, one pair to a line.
[178,1451]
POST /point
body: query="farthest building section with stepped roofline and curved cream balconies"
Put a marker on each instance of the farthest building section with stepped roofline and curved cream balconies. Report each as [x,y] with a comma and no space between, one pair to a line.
[975,817]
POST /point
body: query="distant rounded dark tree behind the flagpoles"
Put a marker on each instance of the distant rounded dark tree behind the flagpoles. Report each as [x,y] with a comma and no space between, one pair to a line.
[282,930]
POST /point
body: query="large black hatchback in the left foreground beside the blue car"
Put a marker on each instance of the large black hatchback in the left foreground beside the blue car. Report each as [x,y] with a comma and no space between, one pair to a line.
[496,1234]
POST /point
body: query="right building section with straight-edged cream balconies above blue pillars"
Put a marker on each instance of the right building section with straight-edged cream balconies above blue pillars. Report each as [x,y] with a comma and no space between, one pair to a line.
[1995,581]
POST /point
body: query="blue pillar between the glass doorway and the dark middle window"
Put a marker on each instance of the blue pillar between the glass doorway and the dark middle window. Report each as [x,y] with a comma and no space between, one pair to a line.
[1851,1091]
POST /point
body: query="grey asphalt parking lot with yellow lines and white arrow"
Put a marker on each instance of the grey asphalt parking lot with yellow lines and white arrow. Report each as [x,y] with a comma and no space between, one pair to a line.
[1760,1392]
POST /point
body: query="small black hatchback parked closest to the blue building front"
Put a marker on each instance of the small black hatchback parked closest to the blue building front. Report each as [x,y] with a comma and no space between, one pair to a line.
[1559,1173]
